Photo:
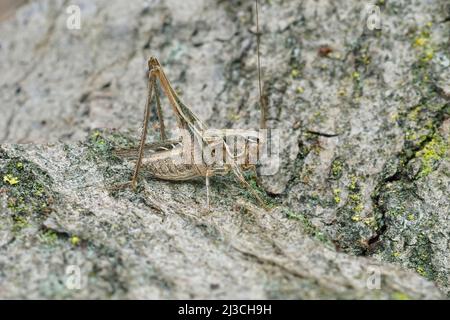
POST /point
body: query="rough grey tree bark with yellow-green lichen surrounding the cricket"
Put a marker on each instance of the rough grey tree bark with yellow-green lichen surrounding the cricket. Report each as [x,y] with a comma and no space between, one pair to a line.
[360,207]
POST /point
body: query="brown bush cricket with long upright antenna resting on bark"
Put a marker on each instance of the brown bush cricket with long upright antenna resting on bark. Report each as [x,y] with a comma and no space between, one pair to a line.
[158,158]
